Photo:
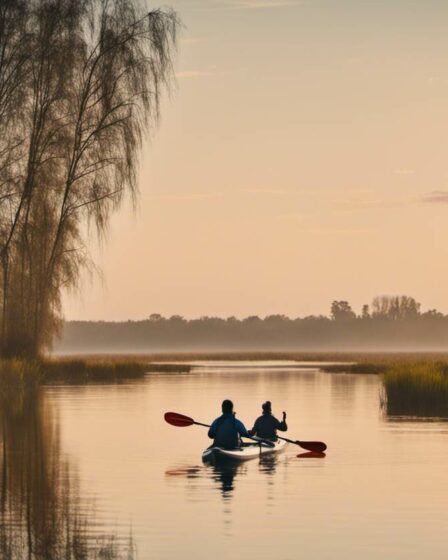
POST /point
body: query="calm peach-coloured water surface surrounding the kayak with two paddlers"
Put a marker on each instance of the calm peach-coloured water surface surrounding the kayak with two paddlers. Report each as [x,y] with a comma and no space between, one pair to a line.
[95,470]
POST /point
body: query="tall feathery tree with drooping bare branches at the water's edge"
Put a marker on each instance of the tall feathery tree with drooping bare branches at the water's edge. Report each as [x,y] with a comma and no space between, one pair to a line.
[80,85]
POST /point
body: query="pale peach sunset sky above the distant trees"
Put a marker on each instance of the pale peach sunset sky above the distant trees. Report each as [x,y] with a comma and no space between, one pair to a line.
[301,158]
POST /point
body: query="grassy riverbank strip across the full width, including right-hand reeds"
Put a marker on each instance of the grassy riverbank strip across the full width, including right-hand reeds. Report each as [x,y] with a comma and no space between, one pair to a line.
[415,384]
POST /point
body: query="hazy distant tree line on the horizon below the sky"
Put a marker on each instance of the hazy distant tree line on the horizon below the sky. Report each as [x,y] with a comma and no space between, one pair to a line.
[394,323]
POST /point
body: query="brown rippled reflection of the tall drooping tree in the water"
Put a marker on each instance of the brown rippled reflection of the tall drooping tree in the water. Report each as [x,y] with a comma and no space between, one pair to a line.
[42,515]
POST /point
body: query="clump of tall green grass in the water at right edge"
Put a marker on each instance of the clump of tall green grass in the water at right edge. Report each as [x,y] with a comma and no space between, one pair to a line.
[418,389]
